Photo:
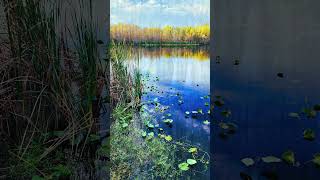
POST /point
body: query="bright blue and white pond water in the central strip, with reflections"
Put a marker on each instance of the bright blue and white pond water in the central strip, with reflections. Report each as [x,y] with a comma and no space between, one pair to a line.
[178,80]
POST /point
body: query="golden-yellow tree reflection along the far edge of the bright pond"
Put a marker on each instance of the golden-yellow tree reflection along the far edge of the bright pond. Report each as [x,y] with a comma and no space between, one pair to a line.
[194,53]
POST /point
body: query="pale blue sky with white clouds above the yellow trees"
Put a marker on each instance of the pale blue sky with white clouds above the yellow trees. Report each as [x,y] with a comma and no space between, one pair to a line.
[158,13]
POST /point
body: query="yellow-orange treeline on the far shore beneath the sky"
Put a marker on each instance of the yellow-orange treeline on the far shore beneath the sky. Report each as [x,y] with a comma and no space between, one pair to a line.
[167,35]
